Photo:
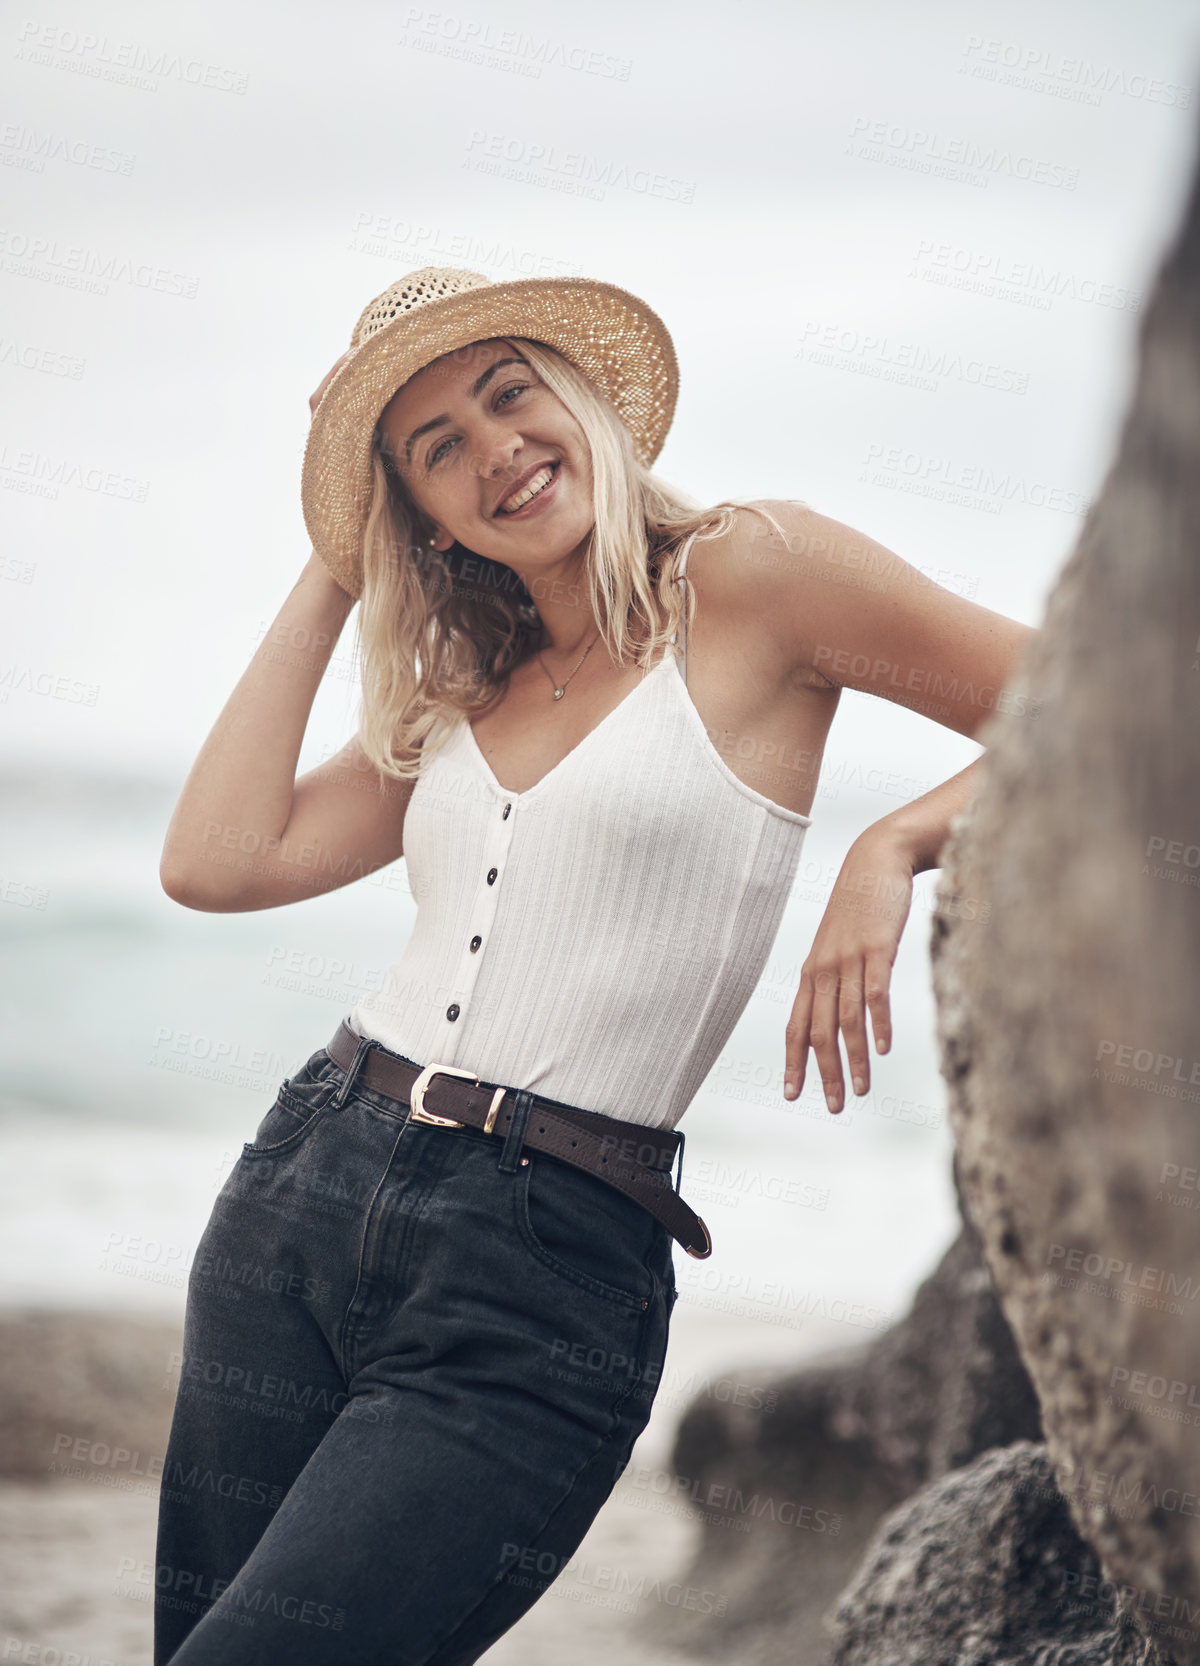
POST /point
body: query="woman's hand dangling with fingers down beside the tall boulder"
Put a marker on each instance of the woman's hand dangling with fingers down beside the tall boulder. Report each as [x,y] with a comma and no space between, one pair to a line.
[849,969]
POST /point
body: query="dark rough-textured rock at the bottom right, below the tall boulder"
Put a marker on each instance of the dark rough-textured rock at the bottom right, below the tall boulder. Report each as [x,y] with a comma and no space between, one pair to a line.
[986,1569]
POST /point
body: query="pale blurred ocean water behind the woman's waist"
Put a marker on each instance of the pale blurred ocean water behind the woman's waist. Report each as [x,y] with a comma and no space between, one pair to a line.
[142,1044]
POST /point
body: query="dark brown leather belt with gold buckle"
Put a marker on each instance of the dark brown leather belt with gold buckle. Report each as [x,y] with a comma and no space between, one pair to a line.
[632,1159]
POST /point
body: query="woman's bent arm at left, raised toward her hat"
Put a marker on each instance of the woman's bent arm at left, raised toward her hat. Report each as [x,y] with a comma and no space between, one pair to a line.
[246,832]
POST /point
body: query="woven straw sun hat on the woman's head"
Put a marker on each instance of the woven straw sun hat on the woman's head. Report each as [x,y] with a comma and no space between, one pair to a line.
[609,334]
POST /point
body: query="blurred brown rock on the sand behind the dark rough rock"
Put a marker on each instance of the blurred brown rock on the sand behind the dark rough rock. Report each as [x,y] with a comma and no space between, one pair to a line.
[791,1500]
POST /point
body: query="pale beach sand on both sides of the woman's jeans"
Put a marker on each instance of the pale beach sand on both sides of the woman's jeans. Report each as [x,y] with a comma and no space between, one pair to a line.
[77,1555]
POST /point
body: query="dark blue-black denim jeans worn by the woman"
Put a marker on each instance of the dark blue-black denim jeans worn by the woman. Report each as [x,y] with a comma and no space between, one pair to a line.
[414,1369]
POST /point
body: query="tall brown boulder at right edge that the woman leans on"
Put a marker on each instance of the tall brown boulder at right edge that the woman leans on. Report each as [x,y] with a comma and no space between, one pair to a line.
[1071,1022]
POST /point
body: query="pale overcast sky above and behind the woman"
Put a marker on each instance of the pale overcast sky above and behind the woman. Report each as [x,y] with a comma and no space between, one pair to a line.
[899,251]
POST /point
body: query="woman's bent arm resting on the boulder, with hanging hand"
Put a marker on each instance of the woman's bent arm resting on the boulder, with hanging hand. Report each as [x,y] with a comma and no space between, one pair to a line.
[851,609]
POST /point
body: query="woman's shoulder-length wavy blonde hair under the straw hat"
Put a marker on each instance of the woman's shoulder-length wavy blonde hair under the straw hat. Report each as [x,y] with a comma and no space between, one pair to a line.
[441,632]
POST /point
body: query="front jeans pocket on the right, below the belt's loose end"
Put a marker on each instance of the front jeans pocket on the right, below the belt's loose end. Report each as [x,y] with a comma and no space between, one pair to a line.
[586,1232]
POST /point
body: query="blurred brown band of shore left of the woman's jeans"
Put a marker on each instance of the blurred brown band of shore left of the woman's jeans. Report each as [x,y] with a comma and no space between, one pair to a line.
[86,1394]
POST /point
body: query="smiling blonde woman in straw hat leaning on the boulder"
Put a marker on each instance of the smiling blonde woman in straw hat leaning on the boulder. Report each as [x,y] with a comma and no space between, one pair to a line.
[452,1234]
